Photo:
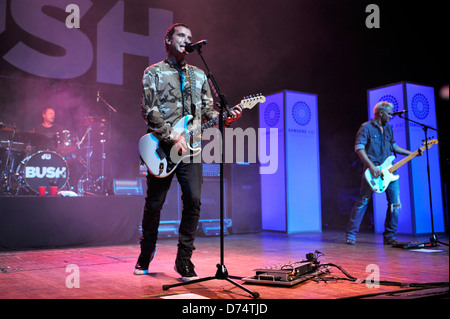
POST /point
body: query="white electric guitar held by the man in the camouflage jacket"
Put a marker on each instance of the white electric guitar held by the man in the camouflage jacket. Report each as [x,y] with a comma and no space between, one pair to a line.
[156,154]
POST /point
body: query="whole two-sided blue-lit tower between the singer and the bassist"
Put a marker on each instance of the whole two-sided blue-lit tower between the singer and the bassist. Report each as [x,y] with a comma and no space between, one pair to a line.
[290,198]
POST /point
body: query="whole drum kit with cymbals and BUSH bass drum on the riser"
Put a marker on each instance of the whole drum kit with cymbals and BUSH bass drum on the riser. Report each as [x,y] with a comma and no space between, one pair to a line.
[30,161]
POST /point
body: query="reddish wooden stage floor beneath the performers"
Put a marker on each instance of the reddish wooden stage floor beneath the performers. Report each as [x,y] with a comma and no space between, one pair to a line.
[107,272]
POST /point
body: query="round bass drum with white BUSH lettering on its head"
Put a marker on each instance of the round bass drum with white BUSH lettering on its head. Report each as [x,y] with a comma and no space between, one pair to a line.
[44,168]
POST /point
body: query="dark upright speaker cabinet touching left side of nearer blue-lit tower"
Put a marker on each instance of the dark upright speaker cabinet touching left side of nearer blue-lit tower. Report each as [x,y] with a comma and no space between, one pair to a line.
[245,198]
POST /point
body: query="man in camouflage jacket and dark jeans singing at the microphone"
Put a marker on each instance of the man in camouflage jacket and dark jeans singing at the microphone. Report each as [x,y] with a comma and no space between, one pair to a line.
[171,90]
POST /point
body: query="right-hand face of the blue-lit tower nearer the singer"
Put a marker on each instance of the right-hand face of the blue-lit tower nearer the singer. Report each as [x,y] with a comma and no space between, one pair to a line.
[302,162]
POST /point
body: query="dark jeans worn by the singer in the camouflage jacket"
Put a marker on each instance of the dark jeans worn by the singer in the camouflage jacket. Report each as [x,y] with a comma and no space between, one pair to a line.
[190,178]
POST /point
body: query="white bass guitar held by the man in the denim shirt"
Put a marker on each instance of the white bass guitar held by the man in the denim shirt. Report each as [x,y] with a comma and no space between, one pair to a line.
[380,183]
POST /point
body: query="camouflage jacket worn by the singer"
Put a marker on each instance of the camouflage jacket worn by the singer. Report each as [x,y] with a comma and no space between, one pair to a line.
[167,97]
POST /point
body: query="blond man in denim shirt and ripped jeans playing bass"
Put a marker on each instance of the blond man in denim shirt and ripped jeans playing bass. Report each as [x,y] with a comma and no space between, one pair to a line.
[374,144]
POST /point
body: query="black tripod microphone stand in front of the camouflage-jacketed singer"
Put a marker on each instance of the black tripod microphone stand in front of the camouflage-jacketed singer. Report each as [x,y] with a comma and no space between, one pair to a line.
[222,273]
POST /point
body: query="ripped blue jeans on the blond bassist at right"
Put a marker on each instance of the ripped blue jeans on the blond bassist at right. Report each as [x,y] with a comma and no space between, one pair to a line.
[360,206]
